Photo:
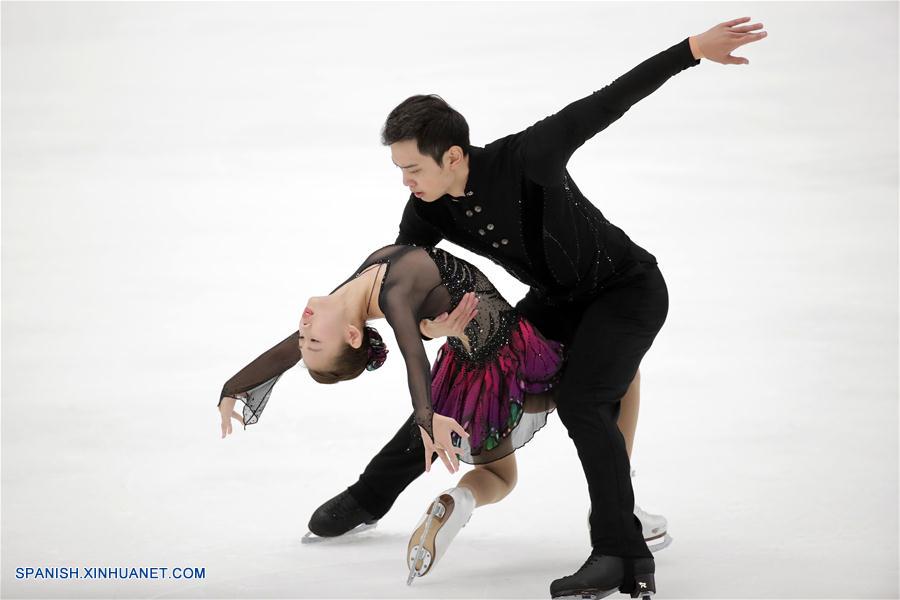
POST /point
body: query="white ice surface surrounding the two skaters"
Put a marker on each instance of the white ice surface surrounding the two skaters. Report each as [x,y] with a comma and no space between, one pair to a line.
[178,178]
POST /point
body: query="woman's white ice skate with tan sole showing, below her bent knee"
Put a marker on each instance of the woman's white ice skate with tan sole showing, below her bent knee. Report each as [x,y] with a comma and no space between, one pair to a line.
[446,515]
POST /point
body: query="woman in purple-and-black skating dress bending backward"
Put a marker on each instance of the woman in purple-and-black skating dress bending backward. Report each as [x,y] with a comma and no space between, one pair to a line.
[487,394]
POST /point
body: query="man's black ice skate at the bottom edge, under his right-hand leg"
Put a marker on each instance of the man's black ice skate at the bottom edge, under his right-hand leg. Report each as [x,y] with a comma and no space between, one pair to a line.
[601,575]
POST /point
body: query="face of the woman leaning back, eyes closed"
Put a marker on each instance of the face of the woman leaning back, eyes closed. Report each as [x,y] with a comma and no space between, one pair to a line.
[324,330]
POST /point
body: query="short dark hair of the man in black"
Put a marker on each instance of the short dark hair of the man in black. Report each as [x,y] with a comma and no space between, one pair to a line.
[429,120]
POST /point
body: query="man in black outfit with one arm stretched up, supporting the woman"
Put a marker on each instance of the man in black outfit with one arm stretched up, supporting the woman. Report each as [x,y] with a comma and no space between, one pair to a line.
[591,287]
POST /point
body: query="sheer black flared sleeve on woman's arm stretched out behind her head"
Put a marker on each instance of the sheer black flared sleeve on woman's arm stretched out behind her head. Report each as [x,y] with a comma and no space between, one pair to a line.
[253,384]
